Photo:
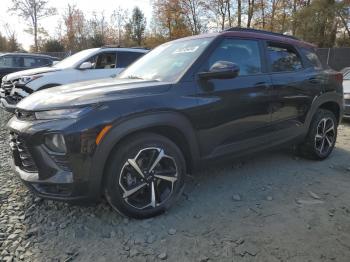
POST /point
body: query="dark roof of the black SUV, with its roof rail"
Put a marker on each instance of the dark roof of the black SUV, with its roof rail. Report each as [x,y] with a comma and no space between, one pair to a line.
[256,34]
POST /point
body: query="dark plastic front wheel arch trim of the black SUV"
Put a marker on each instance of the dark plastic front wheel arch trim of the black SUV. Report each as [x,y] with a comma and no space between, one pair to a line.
[172,125]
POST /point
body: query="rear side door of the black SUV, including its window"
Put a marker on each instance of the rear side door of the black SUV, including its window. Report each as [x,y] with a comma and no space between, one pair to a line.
[295,85]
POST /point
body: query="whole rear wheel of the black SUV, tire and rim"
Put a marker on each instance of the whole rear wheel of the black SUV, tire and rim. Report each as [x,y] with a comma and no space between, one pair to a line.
[321,138]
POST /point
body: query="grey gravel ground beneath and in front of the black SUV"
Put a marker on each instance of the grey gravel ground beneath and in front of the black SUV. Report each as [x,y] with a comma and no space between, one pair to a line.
[275,207]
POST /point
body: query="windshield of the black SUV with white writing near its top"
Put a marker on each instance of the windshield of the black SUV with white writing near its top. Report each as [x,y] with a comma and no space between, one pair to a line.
[167,62]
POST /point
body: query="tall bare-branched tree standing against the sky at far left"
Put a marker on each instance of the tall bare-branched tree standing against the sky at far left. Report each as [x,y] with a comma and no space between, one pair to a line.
[32,11]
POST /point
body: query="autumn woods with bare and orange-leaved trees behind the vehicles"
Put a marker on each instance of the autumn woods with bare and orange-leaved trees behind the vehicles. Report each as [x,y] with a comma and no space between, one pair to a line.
[323,22]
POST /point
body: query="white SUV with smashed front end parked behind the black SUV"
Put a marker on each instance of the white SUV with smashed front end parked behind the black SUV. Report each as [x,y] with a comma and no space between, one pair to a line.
[88,64]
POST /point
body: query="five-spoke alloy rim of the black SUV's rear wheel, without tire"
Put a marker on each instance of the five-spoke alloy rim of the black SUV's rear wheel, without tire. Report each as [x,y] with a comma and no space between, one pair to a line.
[325,136]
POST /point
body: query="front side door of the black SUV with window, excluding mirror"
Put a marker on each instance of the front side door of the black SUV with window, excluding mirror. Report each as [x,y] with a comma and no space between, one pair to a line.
[235,113]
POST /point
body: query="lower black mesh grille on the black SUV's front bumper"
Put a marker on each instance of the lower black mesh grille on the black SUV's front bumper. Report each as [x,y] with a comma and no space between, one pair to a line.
[18,145]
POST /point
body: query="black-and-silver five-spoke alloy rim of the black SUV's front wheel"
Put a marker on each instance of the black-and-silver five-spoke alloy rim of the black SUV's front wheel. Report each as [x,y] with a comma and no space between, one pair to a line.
[148,179]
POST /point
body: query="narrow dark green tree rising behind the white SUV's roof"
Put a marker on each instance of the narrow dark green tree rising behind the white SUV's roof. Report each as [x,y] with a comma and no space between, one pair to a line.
[136,26]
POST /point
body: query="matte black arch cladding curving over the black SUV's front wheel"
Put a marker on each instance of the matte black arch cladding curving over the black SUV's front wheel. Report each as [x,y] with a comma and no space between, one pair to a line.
[138,123]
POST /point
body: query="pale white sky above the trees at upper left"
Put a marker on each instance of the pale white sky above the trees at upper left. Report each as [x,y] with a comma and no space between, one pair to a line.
[50,24]
